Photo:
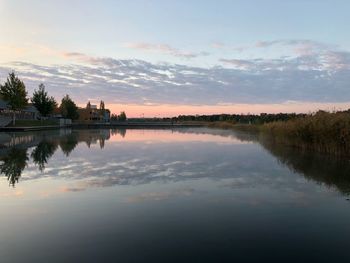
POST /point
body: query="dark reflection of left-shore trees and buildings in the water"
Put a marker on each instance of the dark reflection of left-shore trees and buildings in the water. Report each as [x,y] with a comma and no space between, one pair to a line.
[14,147]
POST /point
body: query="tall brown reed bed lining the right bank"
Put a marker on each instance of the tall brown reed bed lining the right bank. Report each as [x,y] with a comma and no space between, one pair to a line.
[322,132]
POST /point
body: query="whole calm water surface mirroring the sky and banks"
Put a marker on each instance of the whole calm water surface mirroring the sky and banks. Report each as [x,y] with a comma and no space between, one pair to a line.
[187,195]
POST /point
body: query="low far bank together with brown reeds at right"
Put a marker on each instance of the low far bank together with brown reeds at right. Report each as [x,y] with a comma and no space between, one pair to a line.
[322,132]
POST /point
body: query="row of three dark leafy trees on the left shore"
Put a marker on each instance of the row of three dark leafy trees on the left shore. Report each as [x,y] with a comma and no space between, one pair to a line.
[14,93]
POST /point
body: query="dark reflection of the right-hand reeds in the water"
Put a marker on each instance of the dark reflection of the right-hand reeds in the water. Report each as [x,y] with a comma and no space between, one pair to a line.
[328,170]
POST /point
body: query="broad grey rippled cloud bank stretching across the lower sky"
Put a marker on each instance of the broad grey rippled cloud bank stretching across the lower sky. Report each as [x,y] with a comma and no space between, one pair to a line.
[320,77]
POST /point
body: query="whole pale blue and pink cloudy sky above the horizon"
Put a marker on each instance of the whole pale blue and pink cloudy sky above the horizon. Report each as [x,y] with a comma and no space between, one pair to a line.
[165,58]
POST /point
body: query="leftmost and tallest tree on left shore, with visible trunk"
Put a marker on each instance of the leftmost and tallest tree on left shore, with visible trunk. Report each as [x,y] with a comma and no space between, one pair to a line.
[14,93]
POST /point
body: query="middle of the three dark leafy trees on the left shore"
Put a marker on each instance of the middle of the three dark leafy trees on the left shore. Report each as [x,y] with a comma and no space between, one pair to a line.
[43,102]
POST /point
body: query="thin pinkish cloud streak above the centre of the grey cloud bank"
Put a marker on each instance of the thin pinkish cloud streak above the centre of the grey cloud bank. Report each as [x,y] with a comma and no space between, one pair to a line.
[166,49]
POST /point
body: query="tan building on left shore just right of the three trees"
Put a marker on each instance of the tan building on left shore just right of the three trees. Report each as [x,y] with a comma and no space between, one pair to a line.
[93,114]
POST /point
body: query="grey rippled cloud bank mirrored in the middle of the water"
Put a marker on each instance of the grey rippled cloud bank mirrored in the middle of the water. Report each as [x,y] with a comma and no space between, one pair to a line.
[144,163]
